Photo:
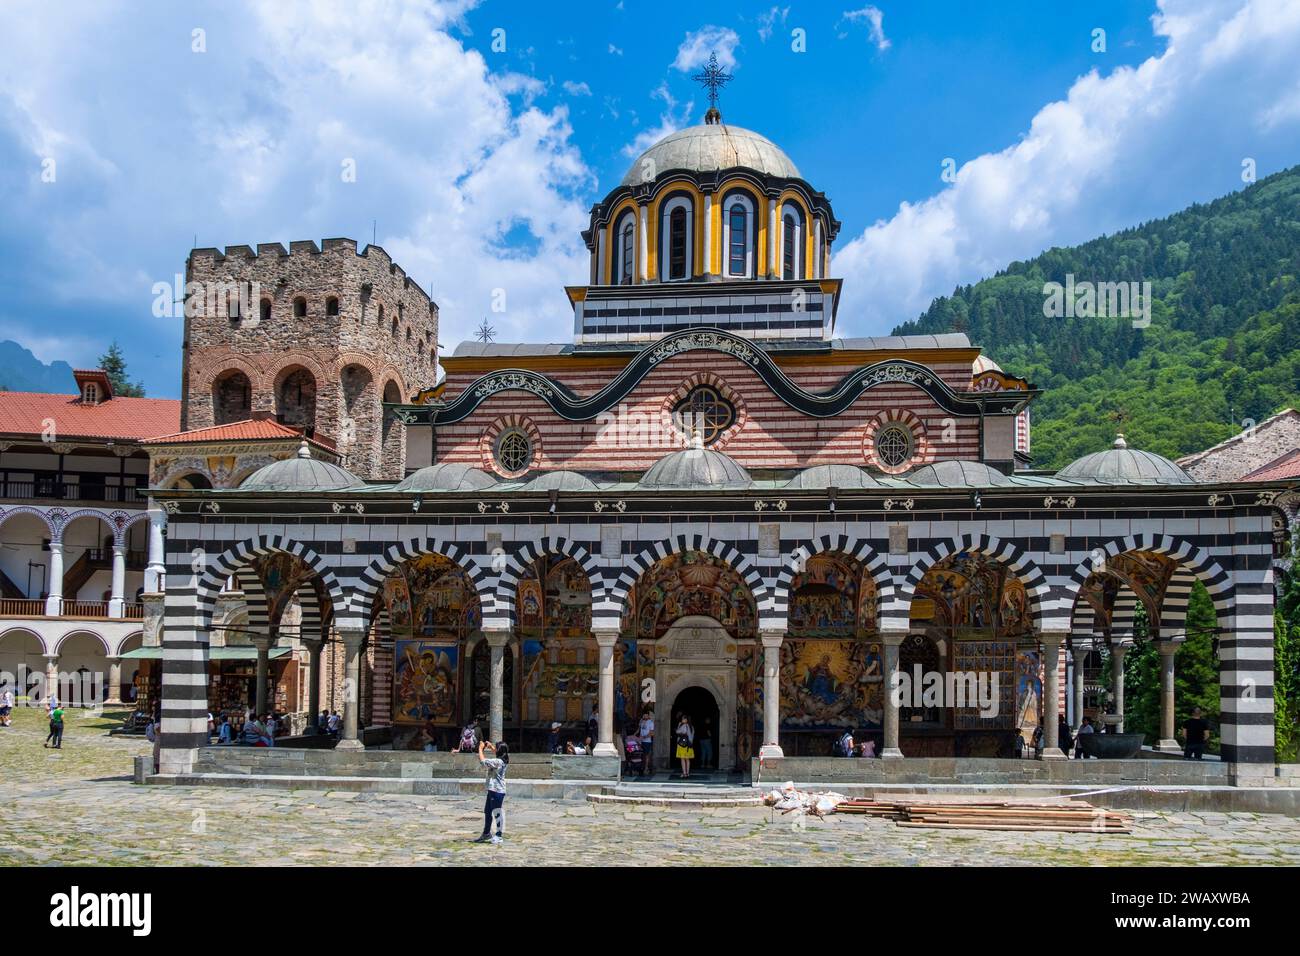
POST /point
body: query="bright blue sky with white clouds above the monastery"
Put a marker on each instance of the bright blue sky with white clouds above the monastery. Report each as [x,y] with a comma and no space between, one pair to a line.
[480,165]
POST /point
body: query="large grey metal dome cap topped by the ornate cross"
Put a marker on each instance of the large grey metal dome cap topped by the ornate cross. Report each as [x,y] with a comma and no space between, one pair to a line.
[708,149]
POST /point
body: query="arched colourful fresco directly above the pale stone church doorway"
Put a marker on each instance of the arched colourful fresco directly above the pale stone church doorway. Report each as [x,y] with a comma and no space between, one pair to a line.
[692,583]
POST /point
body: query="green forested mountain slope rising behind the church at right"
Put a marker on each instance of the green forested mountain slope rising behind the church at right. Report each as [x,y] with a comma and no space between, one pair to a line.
[1223,347]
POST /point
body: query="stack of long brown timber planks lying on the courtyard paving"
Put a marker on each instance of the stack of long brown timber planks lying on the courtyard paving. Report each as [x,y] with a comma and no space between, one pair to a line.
[1061,816]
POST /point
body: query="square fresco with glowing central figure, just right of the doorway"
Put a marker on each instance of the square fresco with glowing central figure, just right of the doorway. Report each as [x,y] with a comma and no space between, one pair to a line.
[829,685]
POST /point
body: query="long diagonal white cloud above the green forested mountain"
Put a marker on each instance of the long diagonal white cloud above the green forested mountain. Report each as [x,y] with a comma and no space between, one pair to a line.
[1120,149]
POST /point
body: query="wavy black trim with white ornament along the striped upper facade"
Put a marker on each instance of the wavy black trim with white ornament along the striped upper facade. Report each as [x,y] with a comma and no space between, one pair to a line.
[834,403]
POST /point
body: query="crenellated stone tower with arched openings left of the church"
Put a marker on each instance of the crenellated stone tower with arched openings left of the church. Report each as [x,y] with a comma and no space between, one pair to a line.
[315,338]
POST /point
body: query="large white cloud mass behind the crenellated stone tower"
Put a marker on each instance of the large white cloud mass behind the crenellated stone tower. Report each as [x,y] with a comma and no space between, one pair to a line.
[245,145]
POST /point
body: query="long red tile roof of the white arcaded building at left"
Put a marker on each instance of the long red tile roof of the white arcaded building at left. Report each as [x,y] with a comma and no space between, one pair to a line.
[27,413]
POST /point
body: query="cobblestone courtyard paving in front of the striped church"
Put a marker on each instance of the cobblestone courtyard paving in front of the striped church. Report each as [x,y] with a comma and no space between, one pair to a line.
[77,807]
